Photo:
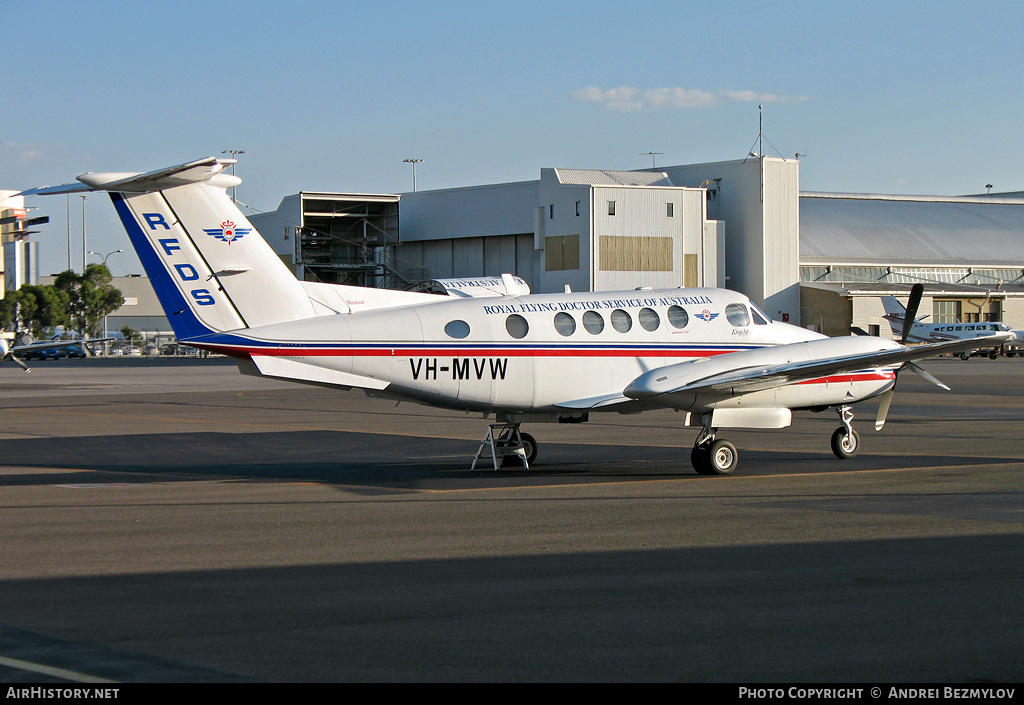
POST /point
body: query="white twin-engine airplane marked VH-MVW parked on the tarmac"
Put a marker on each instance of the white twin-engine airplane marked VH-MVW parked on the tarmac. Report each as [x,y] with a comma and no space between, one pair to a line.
[539,357]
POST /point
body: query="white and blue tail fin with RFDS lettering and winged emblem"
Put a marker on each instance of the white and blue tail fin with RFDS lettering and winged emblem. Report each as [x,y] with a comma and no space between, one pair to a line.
[209,267]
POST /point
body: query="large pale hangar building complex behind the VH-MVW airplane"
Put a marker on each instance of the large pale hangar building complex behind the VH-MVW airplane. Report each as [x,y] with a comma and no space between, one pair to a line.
[821,261]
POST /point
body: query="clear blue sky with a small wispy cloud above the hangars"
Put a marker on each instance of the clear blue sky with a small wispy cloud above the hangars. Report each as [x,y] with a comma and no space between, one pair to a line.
[903,98]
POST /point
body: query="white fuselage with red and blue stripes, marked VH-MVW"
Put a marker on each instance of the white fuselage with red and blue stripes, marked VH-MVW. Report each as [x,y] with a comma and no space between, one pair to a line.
[548,353]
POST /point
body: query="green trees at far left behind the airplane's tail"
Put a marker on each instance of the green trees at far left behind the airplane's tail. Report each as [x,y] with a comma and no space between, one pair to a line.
[74,303]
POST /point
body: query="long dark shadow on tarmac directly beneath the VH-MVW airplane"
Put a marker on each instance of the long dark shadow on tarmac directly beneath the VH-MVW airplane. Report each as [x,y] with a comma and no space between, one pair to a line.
[398,463]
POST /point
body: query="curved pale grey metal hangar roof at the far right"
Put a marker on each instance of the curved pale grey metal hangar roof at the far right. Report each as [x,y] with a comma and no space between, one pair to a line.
[847,229]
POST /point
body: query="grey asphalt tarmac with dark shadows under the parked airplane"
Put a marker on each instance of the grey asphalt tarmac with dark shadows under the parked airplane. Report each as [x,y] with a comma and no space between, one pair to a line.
[176,522]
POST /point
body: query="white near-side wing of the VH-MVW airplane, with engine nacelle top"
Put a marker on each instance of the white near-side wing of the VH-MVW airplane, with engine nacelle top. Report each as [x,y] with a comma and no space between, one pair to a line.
[739,374]
